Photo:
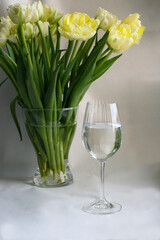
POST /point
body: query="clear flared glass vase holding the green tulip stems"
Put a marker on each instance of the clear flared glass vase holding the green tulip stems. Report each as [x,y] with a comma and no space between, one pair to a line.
[51,132]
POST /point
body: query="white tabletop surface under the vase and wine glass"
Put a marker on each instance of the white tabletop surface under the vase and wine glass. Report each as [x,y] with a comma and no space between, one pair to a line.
[28,212]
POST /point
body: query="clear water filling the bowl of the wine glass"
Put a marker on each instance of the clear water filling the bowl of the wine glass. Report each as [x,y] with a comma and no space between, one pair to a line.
[101,139]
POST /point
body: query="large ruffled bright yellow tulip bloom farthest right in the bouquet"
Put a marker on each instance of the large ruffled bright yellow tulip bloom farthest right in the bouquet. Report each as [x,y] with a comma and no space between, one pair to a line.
[125,33]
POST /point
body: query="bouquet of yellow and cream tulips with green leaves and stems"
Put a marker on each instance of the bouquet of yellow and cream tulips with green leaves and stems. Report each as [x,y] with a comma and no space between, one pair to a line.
[45,76]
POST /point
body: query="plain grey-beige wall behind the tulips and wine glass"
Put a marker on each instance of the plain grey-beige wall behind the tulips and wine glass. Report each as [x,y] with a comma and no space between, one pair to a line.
[133,82]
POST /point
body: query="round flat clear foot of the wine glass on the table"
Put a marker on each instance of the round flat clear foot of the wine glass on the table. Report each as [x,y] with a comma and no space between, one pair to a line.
[102,207]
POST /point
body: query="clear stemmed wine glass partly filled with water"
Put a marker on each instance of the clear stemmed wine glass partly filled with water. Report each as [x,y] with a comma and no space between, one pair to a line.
[101,136]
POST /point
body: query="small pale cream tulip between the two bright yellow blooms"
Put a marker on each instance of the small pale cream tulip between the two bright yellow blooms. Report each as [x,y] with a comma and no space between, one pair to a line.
[106,18]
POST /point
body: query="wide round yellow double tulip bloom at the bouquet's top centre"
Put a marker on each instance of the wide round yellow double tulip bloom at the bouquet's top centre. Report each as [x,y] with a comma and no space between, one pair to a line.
[78,26]
